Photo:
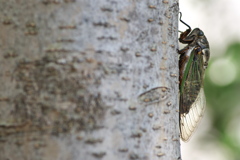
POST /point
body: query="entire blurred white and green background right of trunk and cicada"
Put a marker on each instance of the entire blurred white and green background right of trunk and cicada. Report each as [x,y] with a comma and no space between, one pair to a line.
[218,135]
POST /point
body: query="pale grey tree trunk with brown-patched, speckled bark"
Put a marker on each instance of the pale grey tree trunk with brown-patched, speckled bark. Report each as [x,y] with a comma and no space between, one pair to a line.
[89,79]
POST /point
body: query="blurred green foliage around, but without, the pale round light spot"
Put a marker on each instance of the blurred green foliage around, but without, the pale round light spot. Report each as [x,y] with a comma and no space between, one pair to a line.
[223,102]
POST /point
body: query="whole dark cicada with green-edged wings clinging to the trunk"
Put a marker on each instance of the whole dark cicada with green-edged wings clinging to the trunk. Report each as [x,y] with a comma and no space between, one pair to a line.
[193,62]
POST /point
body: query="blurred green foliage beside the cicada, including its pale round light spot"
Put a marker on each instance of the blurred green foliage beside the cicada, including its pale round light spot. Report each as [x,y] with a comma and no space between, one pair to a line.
[222,90]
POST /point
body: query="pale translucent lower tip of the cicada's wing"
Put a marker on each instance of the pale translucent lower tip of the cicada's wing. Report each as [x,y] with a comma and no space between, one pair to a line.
[190,120]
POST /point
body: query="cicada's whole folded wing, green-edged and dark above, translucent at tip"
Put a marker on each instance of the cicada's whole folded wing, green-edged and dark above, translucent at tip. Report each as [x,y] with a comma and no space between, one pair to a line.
[192,98]
